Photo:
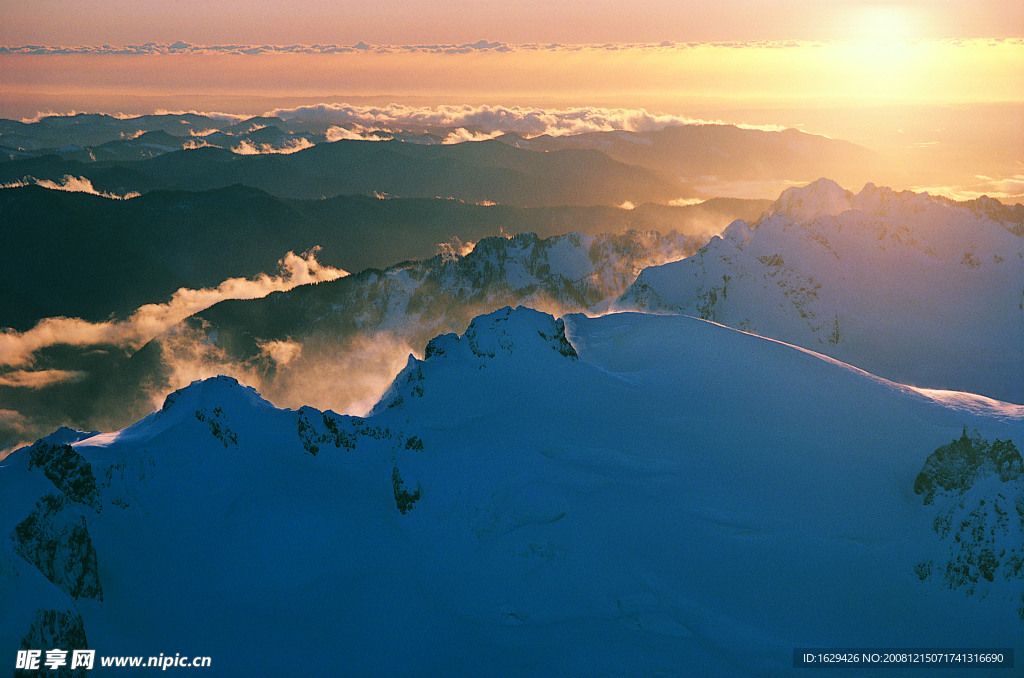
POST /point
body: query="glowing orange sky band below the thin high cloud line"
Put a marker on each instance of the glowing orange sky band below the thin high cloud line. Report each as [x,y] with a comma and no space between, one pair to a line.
[844,73]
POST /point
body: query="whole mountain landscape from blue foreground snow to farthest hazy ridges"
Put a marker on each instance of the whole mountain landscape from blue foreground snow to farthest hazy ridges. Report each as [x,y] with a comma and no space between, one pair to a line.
[586,428]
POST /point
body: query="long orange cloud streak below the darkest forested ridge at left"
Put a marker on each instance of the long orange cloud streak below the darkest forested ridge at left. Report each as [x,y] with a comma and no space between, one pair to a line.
[17,349]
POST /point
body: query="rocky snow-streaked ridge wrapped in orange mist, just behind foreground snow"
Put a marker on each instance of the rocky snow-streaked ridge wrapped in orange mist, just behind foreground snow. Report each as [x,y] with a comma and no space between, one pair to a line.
[335,344]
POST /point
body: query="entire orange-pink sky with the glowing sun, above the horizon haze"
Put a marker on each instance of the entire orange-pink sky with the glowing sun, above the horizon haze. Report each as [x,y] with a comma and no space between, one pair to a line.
[829,53]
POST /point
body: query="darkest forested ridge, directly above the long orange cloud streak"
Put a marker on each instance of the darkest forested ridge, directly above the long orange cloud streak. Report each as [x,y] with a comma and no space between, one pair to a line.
[117,256]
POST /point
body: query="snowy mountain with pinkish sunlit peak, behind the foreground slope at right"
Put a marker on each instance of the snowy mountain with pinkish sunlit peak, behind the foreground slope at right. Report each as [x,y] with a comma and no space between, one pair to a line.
[919,289]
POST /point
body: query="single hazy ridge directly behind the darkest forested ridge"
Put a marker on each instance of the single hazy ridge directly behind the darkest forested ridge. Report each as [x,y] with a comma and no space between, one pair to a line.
[486,172]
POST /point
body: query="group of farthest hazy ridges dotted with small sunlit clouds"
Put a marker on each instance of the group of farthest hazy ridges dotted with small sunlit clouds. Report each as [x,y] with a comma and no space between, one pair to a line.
[414,160]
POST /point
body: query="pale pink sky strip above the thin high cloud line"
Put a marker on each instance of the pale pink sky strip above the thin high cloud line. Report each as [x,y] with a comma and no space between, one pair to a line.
[418,22]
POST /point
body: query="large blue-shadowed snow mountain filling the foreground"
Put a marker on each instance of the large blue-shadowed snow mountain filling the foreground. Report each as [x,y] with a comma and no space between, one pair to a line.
[626,495]
